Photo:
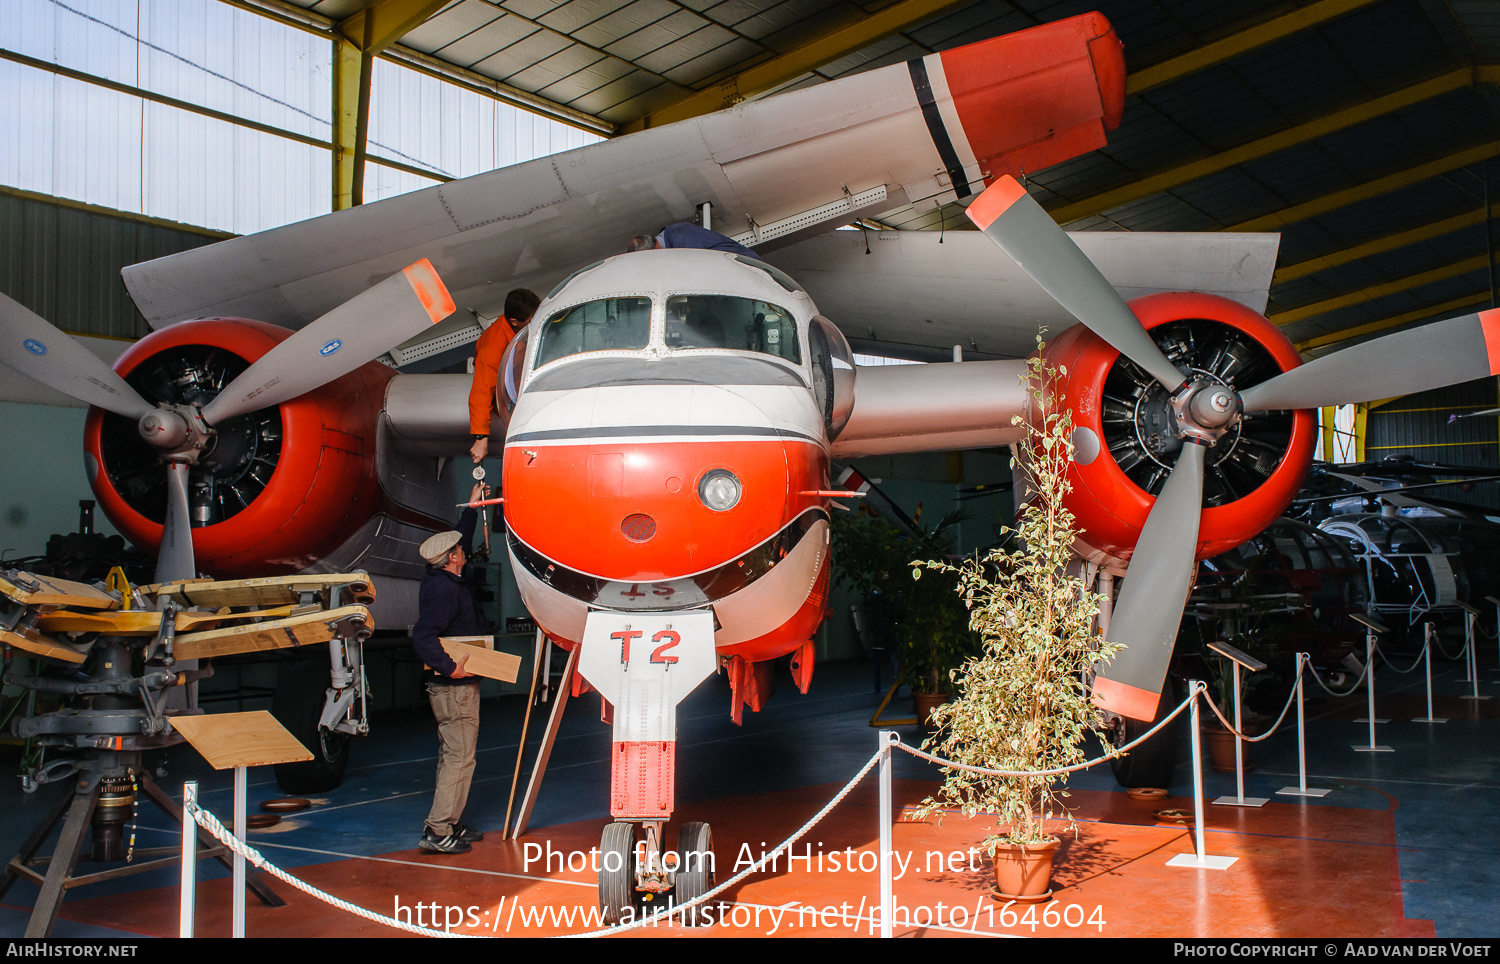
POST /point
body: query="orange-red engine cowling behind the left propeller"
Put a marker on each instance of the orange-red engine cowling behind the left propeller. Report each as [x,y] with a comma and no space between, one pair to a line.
[277,489]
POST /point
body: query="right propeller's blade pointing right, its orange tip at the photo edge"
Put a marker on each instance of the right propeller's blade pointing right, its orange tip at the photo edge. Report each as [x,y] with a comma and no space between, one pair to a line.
[1441,355]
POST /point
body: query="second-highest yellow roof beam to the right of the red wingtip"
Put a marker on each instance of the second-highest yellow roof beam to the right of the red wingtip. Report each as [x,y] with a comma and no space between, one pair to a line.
[1183,175]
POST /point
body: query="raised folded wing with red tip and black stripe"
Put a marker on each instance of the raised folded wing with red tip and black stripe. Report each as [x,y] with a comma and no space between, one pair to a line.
[781,169]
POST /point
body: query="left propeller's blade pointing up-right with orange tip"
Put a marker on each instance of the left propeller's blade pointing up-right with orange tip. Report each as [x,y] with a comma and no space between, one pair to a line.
[340,343]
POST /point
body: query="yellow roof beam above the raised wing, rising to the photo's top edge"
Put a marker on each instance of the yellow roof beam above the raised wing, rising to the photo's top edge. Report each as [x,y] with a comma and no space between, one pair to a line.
[797,62]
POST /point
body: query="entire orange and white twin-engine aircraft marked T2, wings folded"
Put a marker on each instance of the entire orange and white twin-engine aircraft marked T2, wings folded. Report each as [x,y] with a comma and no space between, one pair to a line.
[671,418]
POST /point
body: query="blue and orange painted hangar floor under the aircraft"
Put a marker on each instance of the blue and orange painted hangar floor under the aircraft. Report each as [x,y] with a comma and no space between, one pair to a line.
[1406,843]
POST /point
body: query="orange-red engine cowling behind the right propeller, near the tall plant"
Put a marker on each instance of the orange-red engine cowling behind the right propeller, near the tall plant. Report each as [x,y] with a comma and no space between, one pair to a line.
[1124,445]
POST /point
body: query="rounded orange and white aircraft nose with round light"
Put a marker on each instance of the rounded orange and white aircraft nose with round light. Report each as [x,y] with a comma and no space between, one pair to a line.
[700,486]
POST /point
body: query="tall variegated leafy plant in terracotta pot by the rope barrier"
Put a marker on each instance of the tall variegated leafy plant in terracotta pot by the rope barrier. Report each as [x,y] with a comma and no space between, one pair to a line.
[1024,704]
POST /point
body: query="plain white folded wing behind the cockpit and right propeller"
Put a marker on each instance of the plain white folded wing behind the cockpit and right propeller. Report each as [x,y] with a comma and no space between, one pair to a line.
[920,292]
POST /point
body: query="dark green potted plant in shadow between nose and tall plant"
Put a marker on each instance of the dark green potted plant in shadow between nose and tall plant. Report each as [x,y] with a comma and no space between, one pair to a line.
[929,623]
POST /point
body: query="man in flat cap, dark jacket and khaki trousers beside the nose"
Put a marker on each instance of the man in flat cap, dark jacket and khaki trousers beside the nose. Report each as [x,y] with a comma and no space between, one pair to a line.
[448,608]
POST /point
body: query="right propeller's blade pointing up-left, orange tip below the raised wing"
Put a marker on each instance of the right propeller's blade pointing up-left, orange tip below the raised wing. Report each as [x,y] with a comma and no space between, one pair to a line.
[1013,220]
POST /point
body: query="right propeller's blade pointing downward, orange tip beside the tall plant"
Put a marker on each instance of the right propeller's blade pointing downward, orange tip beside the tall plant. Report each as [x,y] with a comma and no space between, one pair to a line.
[1150,609]
